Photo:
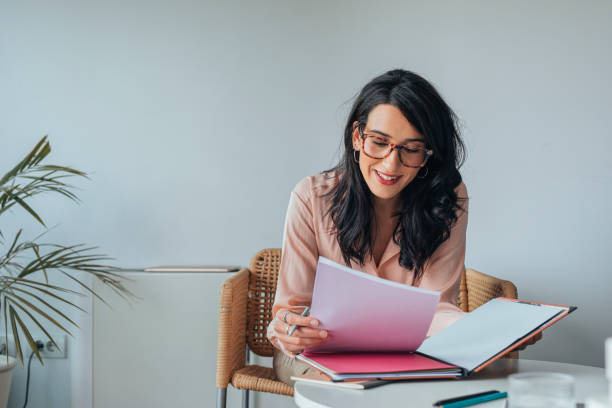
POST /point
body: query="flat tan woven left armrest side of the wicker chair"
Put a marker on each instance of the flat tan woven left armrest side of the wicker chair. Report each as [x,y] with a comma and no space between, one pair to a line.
[231,340]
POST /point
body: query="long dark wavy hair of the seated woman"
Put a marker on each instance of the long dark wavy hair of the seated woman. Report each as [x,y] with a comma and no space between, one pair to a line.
[429,203]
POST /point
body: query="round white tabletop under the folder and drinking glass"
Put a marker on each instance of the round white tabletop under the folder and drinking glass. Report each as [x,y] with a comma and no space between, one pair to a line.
[424,393]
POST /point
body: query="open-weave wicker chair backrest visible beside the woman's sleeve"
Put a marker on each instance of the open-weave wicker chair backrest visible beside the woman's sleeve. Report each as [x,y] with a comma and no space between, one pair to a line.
[262,288]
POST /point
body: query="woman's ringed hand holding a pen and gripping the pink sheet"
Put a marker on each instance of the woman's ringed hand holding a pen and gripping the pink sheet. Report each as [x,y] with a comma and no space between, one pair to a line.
[306,335]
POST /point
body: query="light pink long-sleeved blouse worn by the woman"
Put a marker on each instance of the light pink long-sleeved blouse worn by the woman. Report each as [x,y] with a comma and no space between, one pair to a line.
[309,233]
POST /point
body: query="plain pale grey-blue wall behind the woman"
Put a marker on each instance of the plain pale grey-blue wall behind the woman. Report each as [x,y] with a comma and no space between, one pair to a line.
[196,119]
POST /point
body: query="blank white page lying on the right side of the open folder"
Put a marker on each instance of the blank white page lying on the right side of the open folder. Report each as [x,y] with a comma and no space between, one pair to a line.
[486,331]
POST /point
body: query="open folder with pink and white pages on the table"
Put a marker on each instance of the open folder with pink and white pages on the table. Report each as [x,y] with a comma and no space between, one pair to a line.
[377,329]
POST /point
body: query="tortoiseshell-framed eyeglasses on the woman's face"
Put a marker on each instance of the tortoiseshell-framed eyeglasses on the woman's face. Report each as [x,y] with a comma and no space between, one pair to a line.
[377,147]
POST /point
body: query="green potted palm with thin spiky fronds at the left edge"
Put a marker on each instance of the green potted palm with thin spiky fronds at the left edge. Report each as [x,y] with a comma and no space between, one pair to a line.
[23,290]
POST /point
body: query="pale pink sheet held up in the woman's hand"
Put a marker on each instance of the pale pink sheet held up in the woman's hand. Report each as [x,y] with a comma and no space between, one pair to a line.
[363,312]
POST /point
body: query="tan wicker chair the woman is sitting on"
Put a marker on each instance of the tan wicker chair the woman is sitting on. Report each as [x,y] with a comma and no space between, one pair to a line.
[246,310]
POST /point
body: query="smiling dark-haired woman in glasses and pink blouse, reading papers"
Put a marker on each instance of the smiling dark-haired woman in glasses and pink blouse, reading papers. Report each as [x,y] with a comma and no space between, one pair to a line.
[394,207]
